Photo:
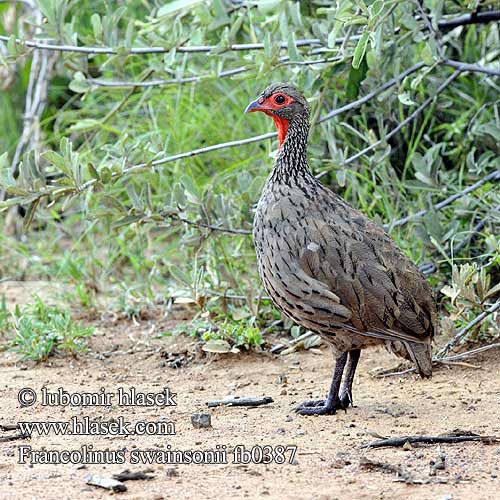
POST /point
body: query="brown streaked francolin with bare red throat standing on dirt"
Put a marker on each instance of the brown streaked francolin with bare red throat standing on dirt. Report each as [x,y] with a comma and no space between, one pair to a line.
[330,268]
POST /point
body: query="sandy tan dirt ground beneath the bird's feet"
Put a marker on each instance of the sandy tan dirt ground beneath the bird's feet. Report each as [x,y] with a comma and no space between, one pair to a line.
[329,462]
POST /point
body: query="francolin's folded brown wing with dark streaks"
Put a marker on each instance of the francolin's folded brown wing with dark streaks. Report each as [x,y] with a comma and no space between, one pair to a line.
[352,257]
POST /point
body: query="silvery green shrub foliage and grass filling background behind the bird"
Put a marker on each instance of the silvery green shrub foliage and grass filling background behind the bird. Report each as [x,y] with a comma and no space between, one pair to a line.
[162,221]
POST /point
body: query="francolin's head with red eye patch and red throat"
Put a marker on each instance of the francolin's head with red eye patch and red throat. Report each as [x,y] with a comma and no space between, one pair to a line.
[284,103]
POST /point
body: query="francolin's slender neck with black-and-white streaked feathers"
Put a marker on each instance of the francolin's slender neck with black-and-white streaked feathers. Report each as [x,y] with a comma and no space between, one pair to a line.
[291,161]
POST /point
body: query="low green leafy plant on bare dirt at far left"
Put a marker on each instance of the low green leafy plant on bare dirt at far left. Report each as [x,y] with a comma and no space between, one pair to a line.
[40,330]
